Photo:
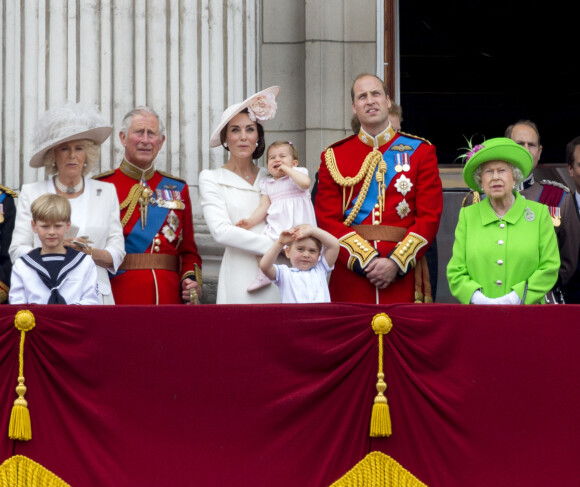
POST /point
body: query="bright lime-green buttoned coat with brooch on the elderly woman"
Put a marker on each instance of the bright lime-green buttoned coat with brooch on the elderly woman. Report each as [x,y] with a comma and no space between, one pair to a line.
[500,256]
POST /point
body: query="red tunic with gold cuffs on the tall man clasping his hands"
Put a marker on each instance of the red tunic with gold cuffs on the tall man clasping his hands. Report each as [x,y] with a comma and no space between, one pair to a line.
[419,223]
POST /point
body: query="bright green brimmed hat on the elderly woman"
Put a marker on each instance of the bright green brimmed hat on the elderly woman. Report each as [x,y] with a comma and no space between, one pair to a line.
[498,149]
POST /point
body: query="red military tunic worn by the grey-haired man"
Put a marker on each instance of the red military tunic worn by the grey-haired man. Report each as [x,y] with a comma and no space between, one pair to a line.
[175,237]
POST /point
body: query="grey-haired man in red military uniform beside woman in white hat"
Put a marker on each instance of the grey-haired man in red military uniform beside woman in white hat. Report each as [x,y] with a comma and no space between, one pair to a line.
[162,265]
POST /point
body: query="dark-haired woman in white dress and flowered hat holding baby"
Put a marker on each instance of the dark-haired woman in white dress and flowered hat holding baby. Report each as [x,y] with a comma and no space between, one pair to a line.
[232,192]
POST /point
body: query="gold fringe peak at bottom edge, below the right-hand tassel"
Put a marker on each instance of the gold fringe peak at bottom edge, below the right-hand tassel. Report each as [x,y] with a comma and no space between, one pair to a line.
[378,470]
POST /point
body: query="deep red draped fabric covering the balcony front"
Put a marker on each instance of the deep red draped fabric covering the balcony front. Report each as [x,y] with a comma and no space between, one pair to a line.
[282,394]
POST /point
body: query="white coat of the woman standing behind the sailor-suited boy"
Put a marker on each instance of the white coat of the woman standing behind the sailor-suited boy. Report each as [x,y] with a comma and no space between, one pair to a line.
[95,212]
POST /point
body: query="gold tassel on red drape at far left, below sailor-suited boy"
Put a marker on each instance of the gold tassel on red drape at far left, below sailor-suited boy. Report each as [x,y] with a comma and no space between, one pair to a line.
[20,427]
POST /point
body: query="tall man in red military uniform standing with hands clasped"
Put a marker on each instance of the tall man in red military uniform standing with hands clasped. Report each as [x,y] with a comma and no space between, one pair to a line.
[380,194]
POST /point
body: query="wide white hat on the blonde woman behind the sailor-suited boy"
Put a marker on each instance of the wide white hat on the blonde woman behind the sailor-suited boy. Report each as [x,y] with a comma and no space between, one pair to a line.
[72,121]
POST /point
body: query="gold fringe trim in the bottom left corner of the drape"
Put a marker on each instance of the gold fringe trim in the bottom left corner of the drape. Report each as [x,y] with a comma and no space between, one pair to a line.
[20,471]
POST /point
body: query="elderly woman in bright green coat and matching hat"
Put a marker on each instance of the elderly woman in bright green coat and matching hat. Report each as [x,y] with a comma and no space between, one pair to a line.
[505,249]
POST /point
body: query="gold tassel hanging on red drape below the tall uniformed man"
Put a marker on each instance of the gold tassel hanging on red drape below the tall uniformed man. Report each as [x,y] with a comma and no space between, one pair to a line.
[380,416]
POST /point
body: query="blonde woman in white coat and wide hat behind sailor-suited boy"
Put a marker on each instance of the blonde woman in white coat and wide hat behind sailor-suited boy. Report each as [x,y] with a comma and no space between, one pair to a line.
[67,143]
